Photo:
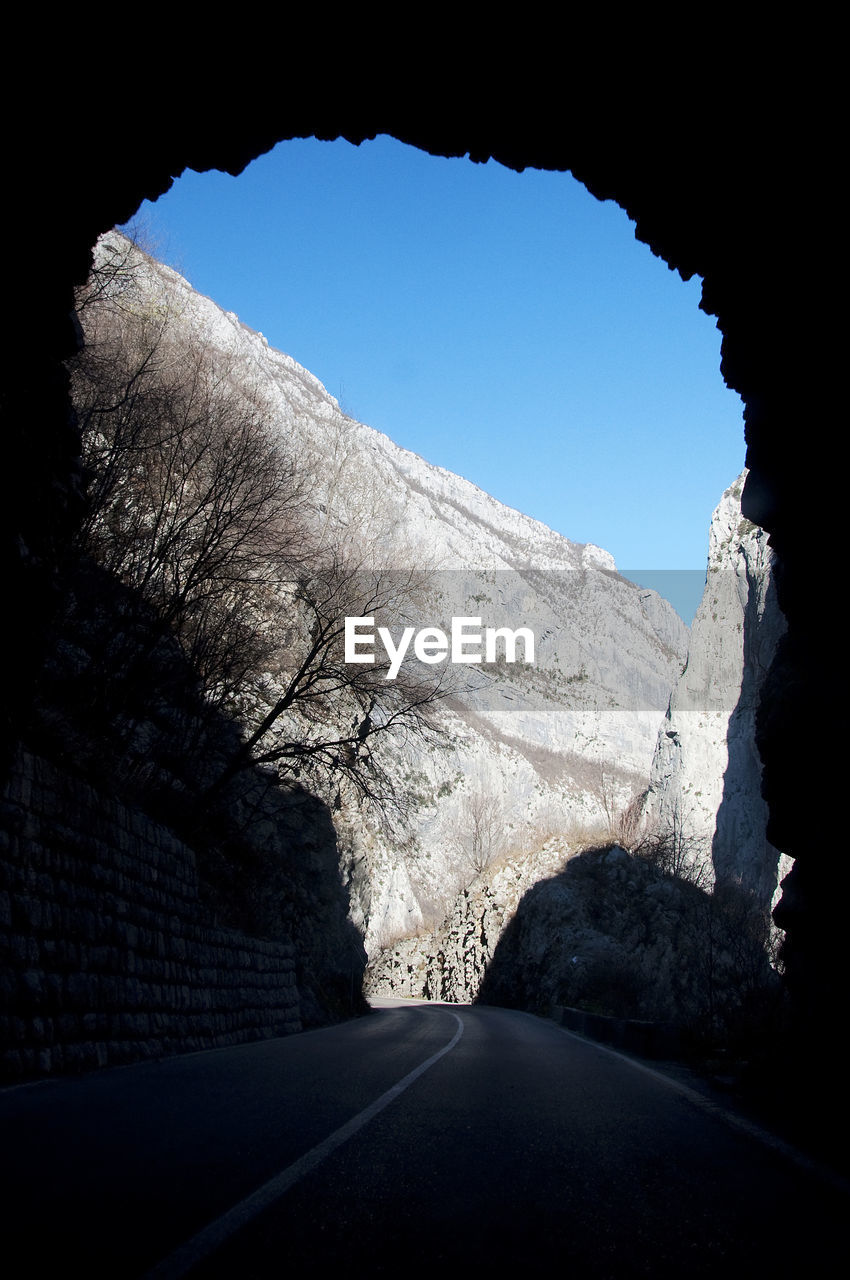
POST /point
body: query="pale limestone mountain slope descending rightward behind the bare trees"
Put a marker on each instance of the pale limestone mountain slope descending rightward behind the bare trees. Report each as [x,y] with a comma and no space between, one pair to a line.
[527,749]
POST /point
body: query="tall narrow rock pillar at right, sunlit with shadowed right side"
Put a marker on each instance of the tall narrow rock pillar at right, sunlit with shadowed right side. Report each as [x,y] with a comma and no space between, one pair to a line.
[706,784]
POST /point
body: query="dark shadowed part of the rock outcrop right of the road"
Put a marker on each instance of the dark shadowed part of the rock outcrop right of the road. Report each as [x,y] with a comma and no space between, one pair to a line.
[615,935]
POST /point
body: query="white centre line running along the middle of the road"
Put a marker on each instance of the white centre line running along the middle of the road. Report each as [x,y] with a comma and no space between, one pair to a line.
[216,1235]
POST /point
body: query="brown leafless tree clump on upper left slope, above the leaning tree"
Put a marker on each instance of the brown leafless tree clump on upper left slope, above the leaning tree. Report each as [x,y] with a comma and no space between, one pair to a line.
[190,500]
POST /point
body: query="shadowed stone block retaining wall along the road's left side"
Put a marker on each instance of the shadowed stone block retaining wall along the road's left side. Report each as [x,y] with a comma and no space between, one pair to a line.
[107,954]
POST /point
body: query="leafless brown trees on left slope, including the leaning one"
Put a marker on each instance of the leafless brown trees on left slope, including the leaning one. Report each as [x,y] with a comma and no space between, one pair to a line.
[194,504]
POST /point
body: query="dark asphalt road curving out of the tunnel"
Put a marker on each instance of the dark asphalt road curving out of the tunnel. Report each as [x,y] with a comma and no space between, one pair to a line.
[422,1140]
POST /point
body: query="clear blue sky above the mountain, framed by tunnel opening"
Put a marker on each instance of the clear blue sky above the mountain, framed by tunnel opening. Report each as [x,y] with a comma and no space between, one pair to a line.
[508,327]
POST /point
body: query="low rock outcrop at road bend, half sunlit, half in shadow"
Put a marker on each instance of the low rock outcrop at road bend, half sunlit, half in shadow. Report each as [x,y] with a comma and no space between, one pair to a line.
[606,931]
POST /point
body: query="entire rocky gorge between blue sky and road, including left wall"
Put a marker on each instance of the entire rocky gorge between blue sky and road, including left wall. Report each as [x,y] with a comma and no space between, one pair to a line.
[582,830]
